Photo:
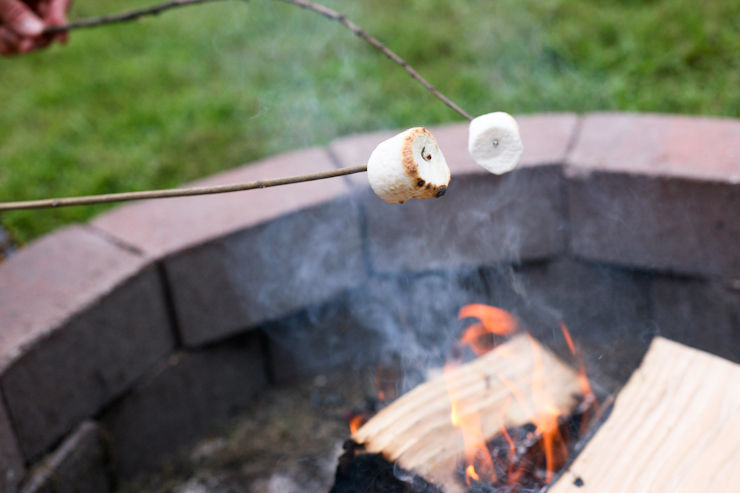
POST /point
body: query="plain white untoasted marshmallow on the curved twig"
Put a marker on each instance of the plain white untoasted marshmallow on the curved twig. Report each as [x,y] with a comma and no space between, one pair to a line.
[494,142]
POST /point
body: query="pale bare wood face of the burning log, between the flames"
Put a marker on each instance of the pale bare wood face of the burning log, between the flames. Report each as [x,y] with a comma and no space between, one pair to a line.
[416,429]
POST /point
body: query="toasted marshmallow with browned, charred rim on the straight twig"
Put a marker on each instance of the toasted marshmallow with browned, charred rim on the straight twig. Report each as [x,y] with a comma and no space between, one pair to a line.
[409,165]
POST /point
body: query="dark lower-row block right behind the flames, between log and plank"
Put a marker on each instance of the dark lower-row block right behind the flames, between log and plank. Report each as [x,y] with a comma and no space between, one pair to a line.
[606,310]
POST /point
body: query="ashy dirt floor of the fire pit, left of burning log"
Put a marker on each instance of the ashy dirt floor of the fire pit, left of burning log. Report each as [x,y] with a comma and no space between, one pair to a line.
[289,442]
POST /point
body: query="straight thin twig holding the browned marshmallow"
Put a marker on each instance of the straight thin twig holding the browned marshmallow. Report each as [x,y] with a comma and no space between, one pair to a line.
[177,192]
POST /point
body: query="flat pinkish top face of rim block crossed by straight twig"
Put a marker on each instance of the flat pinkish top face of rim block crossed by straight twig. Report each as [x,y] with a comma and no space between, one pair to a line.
[161,227]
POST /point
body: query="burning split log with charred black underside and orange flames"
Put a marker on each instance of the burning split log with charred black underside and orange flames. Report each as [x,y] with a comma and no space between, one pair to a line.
[417,441]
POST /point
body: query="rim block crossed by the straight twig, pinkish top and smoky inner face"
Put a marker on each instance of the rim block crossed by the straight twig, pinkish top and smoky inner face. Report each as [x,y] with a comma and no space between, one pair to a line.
[235,260]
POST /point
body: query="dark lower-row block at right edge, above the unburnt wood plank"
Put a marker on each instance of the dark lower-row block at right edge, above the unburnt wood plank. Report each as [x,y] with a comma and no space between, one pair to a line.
[698,313]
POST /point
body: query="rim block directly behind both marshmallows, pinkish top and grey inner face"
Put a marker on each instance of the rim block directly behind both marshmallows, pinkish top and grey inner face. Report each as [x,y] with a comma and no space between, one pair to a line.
[482,219]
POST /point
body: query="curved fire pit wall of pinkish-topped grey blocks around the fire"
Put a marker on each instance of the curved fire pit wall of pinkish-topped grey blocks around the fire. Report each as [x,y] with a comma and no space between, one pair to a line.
[112,344]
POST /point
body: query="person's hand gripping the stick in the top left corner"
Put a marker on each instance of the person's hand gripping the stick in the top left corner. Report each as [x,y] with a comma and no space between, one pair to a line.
[22,24]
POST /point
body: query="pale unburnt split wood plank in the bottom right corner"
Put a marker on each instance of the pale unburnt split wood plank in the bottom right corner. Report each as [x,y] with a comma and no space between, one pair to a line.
[675,428]
